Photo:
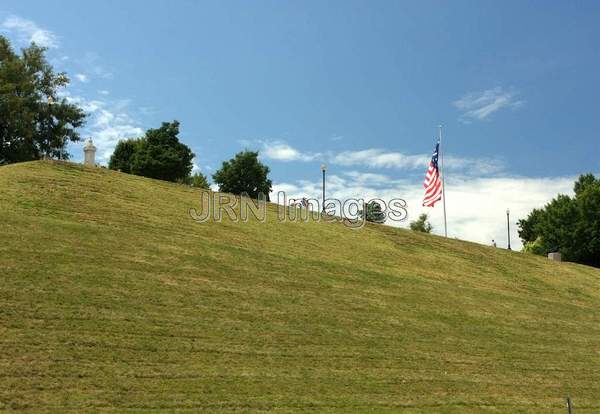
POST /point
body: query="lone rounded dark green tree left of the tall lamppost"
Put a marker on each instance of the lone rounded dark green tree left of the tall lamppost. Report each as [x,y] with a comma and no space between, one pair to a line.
[244,174]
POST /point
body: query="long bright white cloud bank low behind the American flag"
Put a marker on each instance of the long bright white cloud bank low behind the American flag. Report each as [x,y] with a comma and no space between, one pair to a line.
[476,207]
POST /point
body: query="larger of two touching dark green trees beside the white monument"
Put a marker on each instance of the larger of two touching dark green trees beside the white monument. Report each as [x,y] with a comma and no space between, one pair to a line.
[160,155]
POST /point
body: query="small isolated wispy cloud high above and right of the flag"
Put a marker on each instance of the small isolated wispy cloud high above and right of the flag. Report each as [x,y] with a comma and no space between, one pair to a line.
[480,105]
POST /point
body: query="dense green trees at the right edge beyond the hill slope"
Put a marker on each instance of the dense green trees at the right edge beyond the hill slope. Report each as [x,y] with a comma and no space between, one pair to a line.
[570,225]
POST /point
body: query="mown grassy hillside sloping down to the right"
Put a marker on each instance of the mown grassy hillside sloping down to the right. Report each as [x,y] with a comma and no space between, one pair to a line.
[113,299]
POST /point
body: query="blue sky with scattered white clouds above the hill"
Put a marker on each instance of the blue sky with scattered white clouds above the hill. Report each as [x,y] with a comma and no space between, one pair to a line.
[358,85]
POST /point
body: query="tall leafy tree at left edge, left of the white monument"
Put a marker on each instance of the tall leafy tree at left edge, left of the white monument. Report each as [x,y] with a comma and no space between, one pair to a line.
[34,122]
